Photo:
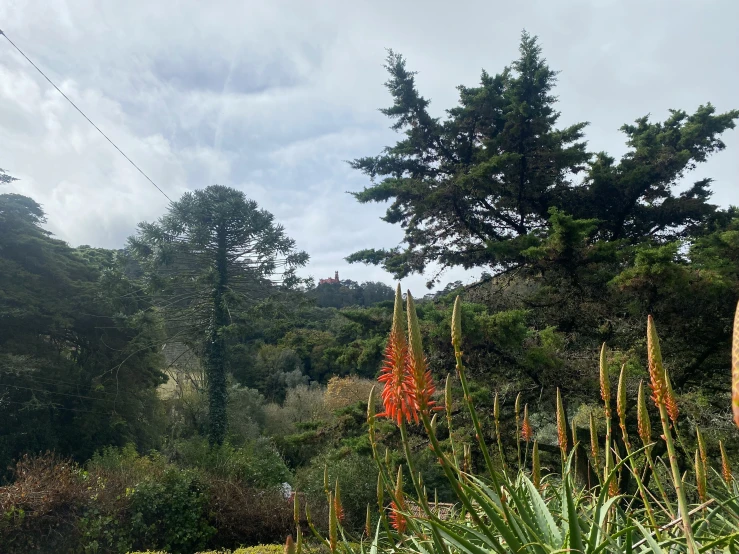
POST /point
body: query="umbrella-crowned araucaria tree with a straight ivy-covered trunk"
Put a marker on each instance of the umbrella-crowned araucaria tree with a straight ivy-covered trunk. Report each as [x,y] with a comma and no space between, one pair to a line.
[210,259]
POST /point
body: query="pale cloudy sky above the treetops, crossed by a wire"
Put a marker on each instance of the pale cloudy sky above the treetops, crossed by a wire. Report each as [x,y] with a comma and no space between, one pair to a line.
[272,98]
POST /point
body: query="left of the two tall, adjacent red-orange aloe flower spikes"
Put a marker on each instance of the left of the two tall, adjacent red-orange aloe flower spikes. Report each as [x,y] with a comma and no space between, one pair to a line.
[397,395]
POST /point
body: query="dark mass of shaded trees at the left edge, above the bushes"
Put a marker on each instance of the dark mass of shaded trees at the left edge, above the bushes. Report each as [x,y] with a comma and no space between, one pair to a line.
[79,358]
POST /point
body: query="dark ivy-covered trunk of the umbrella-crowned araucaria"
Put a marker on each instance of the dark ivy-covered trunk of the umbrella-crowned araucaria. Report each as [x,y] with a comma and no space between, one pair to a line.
[216,362]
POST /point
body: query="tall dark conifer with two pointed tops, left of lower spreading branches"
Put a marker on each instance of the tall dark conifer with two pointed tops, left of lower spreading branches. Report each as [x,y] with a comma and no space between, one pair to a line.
[471,190]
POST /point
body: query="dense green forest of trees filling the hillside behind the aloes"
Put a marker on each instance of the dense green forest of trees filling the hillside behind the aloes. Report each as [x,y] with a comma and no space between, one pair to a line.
[200,345]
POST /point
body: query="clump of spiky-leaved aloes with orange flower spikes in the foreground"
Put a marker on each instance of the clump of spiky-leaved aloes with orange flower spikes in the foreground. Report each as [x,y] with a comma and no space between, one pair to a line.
[528,512]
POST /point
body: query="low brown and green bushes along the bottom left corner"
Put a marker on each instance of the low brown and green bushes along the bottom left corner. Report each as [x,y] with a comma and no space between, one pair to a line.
[125,501]
